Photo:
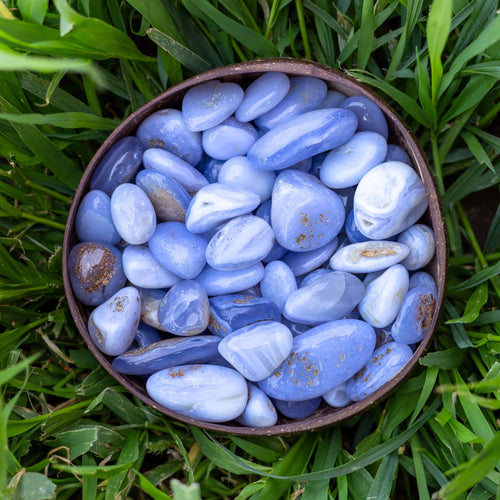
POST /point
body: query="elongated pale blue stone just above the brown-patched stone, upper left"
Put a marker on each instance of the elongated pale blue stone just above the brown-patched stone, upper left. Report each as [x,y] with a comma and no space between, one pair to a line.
[171,165]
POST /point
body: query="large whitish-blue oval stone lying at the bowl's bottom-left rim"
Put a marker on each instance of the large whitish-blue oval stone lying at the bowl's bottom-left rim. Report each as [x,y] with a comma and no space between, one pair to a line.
[207,392]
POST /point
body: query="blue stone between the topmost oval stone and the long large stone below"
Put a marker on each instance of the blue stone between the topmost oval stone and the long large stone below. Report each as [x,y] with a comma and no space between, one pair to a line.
[306,93]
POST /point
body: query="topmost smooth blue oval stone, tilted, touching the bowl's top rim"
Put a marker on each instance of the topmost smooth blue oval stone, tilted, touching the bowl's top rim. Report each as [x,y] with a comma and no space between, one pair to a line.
[262,95]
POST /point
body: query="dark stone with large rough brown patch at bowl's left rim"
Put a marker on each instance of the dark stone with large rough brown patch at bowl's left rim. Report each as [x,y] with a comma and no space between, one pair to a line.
[95,271]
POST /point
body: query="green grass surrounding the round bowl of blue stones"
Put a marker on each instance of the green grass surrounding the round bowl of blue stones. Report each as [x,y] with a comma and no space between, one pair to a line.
[69,73]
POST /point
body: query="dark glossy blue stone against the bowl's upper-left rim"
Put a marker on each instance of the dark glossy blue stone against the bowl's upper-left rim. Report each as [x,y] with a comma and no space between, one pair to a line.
[118,165]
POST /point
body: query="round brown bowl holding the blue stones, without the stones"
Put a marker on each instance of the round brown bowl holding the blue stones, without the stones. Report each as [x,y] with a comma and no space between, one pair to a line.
[245,73]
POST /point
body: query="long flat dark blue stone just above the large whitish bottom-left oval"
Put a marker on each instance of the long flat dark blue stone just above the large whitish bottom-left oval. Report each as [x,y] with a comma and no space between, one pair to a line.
[167,353]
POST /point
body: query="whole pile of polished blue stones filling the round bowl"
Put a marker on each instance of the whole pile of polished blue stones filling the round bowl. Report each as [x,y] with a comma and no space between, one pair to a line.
[256,251]
